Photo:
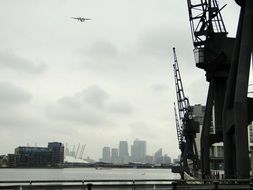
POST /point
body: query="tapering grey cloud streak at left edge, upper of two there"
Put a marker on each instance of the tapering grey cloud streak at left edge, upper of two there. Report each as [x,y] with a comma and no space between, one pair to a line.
[15,62]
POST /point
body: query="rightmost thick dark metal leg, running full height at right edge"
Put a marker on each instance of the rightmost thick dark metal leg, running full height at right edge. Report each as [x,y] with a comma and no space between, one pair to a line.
[240,103]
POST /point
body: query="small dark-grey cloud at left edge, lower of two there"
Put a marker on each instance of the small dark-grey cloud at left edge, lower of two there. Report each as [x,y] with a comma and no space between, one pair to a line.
[12,94]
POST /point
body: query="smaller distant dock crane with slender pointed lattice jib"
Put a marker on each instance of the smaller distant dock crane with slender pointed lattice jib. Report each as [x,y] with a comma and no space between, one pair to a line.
[186,126]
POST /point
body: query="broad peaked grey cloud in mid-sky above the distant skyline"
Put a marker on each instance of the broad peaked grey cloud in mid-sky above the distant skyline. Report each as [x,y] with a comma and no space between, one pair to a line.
[92,106]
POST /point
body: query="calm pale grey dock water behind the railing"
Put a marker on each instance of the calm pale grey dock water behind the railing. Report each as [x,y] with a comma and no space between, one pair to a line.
[85,173]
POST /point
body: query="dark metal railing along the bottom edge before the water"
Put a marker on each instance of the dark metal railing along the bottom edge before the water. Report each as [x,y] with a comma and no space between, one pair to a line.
[128,184]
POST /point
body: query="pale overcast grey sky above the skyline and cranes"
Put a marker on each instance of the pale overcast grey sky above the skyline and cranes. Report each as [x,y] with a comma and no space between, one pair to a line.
[97,82]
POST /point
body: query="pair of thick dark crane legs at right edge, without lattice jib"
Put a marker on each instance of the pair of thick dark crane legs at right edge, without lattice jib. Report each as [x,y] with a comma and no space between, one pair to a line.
[238,108]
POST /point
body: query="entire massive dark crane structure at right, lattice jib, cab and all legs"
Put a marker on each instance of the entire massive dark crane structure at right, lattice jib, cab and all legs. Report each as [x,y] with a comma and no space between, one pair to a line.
[227,71]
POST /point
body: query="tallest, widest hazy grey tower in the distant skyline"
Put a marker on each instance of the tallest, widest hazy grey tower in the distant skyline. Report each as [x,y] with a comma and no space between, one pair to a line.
[138,151]
